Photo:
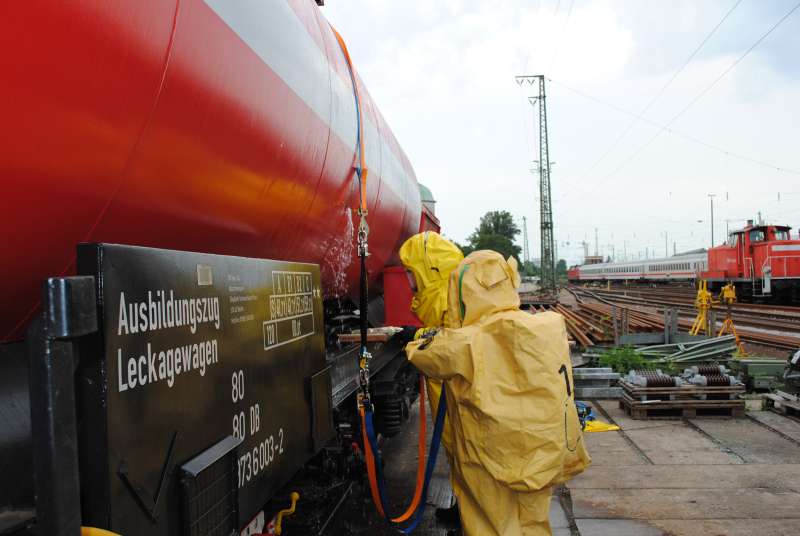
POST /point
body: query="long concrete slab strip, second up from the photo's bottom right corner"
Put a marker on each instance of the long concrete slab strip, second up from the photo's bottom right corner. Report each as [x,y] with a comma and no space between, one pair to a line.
[653,503]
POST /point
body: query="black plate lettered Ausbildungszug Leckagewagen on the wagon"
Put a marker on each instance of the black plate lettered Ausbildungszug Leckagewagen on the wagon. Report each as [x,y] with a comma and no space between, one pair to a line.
[193,348]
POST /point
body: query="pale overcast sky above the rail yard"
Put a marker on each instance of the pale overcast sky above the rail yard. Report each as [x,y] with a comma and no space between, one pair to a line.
[442,73]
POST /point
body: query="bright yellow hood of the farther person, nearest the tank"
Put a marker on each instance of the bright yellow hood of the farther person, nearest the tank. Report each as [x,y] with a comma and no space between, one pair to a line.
[431,258]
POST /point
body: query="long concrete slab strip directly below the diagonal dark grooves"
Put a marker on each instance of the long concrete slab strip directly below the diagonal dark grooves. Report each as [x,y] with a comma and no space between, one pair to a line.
[779,477]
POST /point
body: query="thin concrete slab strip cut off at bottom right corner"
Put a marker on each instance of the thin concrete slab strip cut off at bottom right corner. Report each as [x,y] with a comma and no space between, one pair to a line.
[727,527]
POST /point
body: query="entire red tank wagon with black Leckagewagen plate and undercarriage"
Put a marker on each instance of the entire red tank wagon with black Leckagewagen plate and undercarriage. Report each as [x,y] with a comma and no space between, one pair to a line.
[179,177]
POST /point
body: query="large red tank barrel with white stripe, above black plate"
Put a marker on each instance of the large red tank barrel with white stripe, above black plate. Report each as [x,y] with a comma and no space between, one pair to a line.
[214,126]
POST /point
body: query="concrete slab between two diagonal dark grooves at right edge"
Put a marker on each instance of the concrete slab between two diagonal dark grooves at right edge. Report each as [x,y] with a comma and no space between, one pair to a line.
[750,441]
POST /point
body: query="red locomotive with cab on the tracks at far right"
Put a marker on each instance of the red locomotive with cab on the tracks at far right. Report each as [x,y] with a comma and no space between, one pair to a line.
[762,260]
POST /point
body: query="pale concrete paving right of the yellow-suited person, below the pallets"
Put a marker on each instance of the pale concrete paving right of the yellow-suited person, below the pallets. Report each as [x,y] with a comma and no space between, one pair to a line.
[705,476]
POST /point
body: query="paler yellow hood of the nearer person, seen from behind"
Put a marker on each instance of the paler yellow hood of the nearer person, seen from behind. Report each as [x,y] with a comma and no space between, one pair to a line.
[483,284]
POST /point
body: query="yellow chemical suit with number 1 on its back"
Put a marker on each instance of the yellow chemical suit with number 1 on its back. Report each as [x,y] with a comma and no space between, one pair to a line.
[509,400]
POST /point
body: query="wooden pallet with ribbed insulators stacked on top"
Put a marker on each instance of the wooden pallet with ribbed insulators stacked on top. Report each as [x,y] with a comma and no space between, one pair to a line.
[677,409]
